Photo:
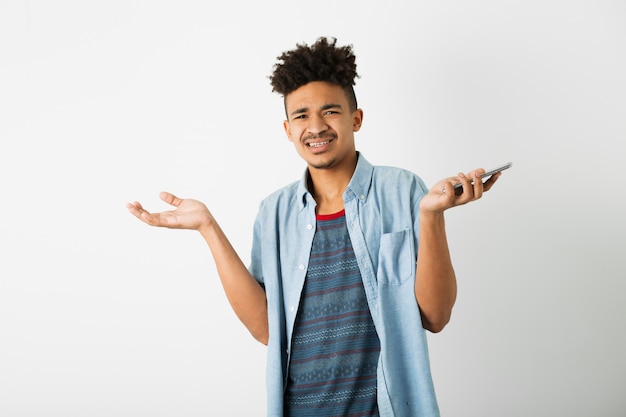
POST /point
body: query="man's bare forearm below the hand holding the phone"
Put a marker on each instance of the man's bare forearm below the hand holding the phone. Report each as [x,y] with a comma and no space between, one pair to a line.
[435,281]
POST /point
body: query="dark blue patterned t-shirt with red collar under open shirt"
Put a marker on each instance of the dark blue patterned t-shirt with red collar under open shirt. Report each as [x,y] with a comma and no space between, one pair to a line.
[335,347]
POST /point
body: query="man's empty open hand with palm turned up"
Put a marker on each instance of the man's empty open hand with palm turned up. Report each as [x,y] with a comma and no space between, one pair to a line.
[188,214]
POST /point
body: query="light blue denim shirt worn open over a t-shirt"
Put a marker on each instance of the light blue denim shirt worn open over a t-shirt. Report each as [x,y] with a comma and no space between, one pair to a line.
[382,214]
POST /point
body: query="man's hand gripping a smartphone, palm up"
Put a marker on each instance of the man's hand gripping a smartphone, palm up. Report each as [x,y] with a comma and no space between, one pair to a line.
[442,195]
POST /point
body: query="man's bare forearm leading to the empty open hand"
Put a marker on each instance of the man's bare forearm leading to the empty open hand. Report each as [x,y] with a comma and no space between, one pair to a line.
[244,293]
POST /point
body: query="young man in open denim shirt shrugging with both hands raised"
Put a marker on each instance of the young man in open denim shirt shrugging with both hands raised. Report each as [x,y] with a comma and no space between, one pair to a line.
[349,265]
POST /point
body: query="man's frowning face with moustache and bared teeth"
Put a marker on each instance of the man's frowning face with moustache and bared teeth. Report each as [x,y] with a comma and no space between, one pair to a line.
[321,125]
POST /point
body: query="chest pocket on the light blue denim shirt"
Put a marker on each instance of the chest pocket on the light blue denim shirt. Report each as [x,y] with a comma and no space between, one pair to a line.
[396,259]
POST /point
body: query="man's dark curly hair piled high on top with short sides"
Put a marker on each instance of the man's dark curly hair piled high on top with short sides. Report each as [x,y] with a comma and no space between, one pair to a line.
[321,61]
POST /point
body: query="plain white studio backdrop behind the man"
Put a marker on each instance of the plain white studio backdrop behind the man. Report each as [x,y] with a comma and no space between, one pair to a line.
[103,103]
